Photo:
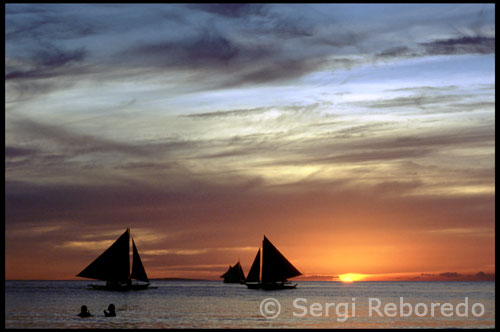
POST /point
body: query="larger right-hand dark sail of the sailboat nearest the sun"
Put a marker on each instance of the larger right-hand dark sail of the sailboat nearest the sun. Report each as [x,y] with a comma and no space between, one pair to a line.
[275,267]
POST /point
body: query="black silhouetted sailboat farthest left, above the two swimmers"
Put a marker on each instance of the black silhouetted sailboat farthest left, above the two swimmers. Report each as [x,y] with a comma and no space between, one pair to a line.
[113,266]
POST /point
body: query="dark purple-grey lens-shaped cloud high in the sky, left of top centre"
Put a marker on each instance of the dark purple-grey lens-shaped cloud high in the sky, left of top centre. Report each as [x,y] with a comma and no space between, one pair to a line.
[222,62]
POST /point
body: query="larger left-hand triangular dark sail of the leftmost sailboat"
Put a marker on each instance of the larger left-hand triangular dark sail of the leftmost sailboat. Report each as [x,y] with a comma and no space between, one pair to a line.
[112,265]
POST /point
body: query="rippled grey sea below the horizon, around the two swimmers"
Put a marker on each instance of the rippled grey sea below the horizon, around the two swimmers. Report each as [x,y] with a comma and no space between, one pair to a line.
[213,304]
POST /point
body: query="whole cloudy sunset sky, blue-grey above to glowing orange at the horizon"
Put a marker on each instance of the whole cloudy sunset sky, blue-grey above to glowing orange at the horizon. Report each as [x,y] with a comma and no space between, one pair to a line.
[357,138]
